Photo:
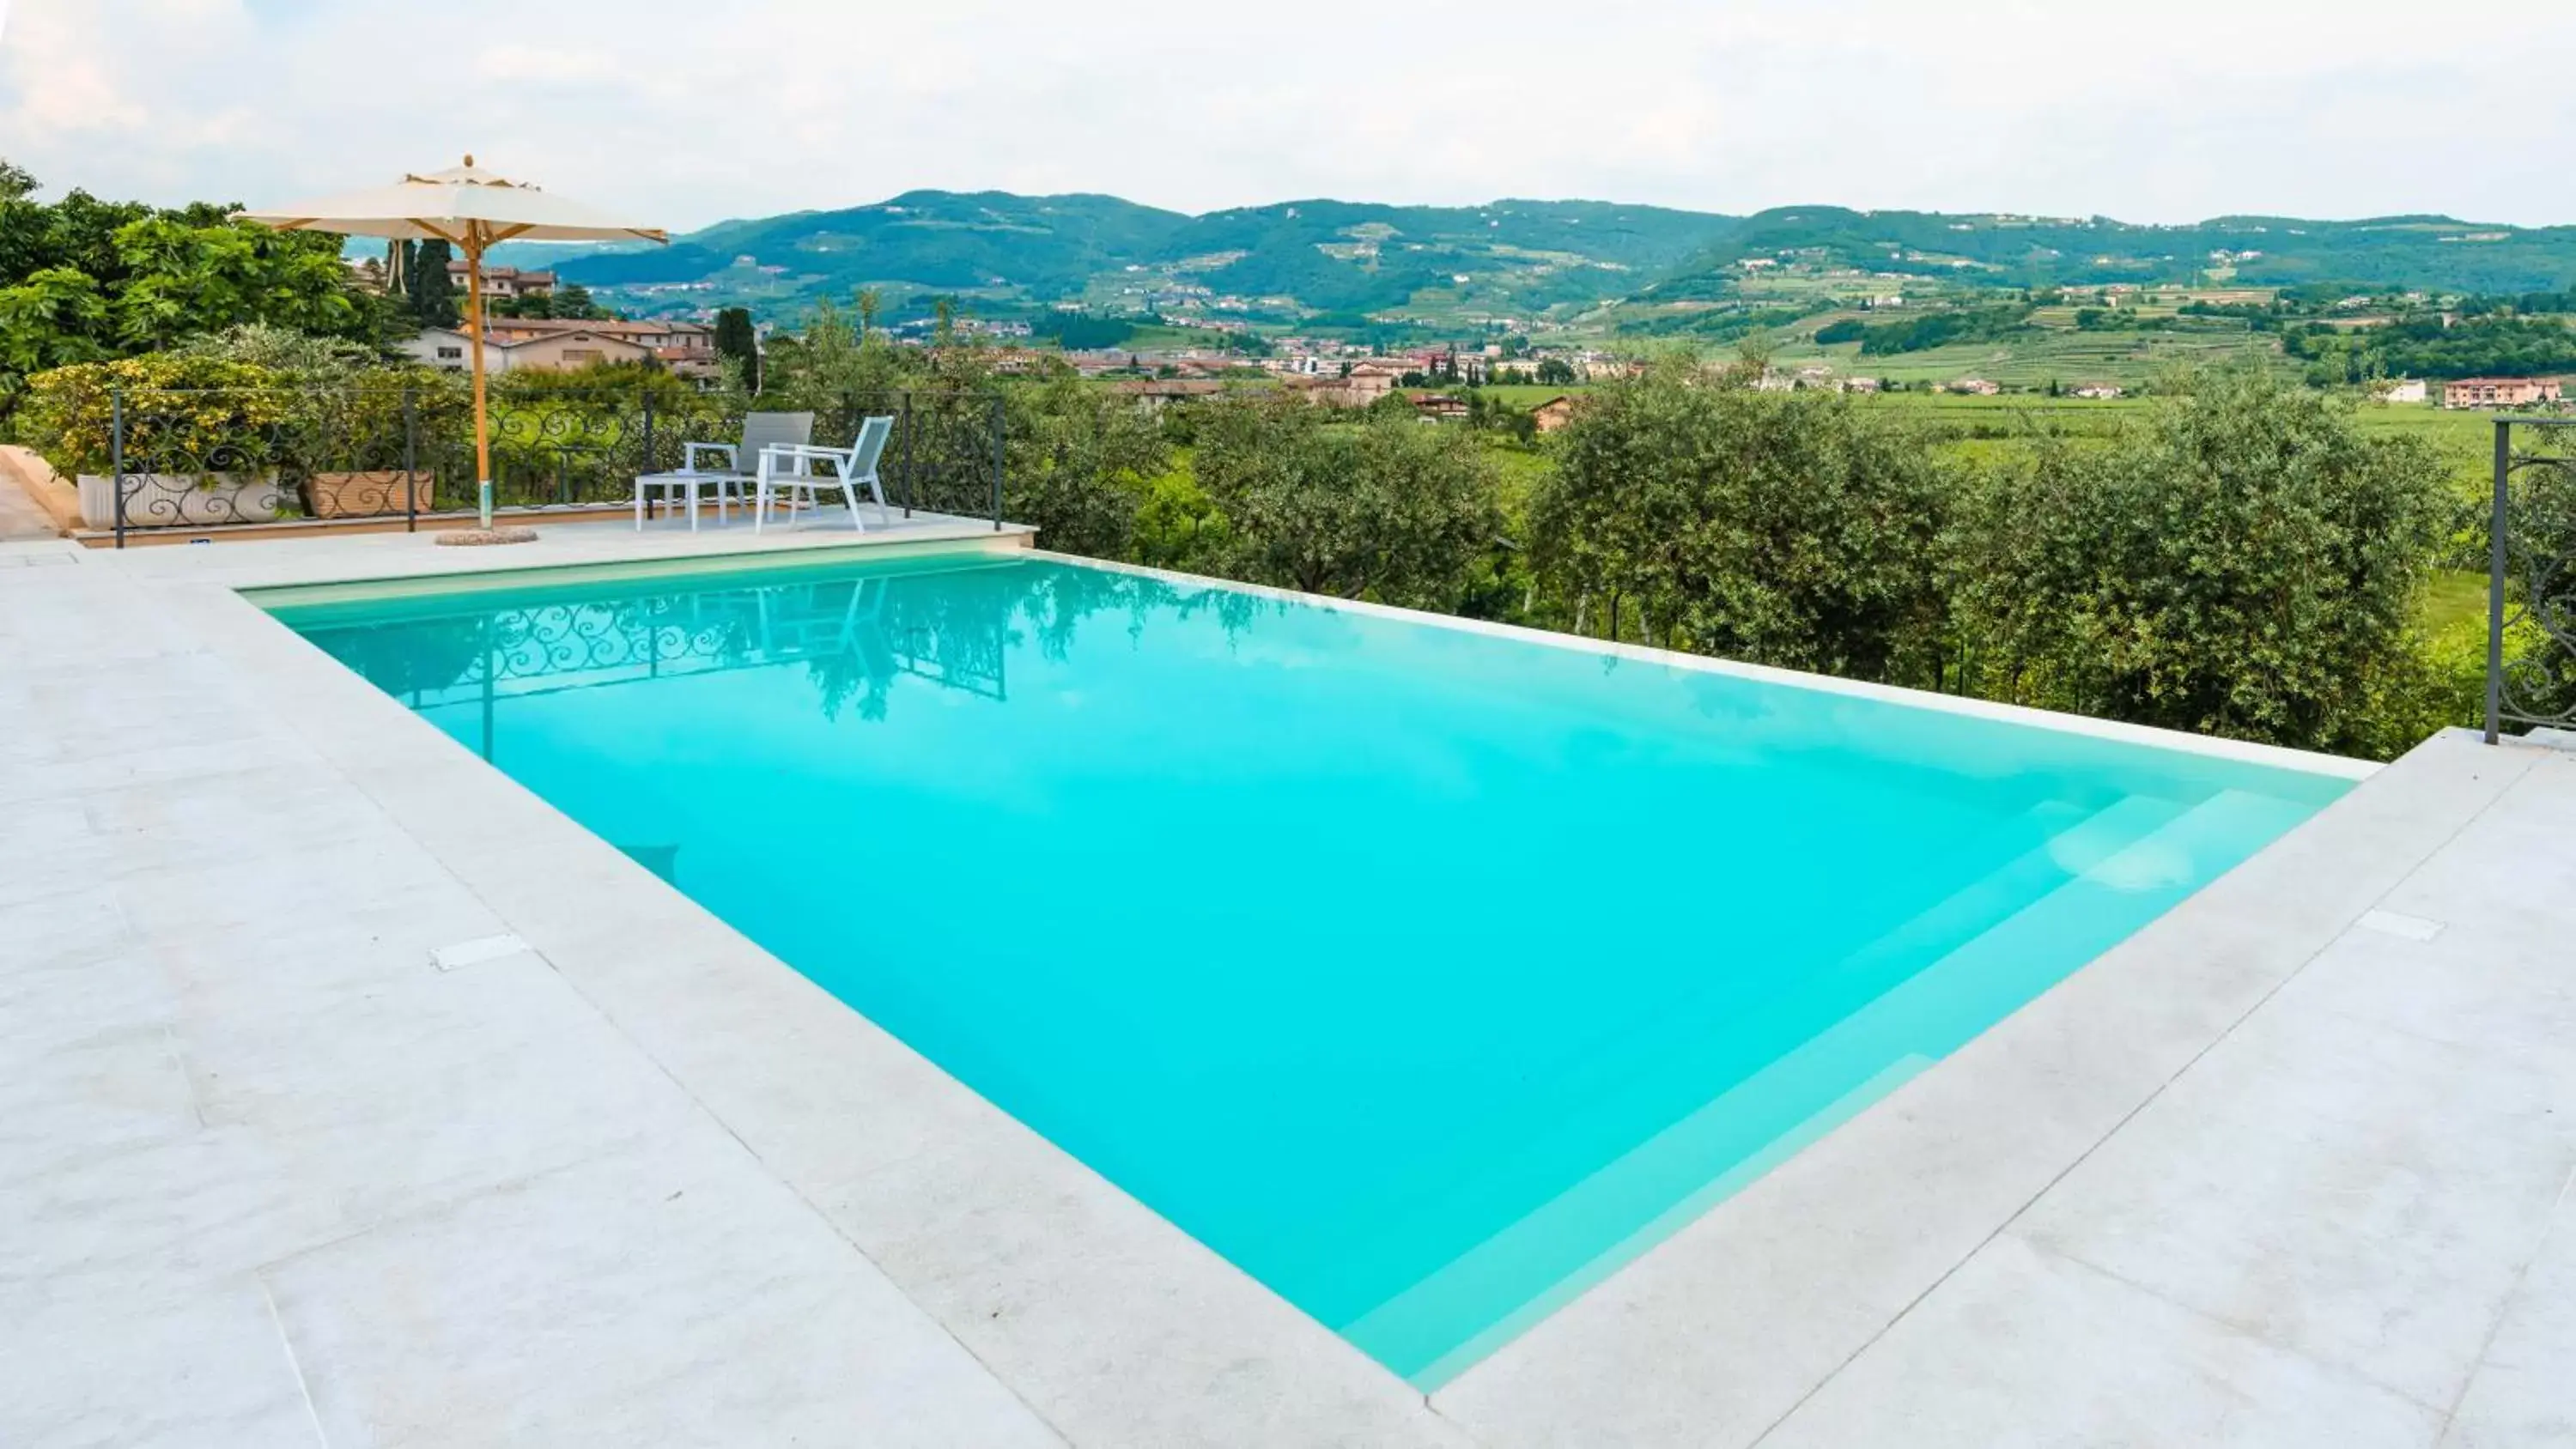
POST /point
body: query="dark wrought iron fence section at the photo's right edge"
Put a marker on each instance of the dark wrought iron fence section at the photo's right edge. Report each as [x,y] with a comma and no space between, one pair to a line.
[2531,578]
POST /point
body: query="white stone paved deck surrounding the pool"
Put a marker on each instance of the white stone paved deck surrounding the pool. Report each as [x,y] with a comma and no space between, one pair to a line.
[2289,1167]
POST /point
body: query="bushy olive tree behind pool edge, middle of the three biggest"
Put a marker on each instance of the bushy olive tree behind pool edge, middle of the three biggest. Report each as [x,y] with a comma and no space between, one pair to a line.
[1779,529]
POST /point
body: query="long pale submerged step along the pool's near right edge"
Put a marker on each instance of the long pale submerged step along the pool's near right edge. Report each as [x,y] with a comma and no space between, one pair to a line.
[1516,1278]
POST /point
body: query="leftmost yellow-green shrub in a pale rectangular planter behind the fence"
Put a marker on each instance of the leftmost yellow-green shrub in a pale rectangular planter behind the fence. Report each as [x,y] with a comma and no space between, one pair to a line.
[200,439]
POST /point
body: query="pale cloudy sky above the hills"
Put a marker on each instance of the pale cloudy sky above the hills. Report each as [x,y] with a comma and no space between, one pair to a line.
[684,115]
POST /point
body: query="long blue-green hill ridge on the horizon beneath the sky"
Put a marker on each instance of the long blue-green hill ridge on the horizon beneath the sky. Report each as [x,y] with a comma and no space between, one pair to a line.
[1511,261]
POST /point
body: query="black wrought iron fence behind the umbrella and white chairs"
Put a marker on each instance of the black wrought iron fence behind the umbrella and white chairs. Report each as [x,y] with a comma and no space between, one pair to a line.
[249,457]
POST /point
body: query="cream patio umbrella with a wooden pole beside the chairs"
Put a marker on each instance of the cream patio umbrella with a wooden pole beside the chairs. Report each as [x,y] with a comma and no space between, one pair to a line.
[468,210]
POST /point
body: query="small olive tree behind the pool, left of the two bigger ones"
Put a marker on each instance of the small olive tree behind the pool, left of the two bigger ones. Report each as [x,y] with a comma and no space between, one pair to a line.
[1387,511]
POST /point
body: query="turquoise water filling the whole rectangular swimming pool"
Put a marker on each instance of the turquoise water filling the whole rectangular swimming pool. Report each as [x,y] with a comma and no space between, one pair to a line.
[1423,974]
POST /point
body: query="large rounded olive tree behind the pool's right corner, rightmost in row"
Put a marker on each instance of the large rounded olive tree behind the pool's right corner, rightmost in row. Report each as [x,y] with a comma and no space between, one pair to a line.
[2245,565]
